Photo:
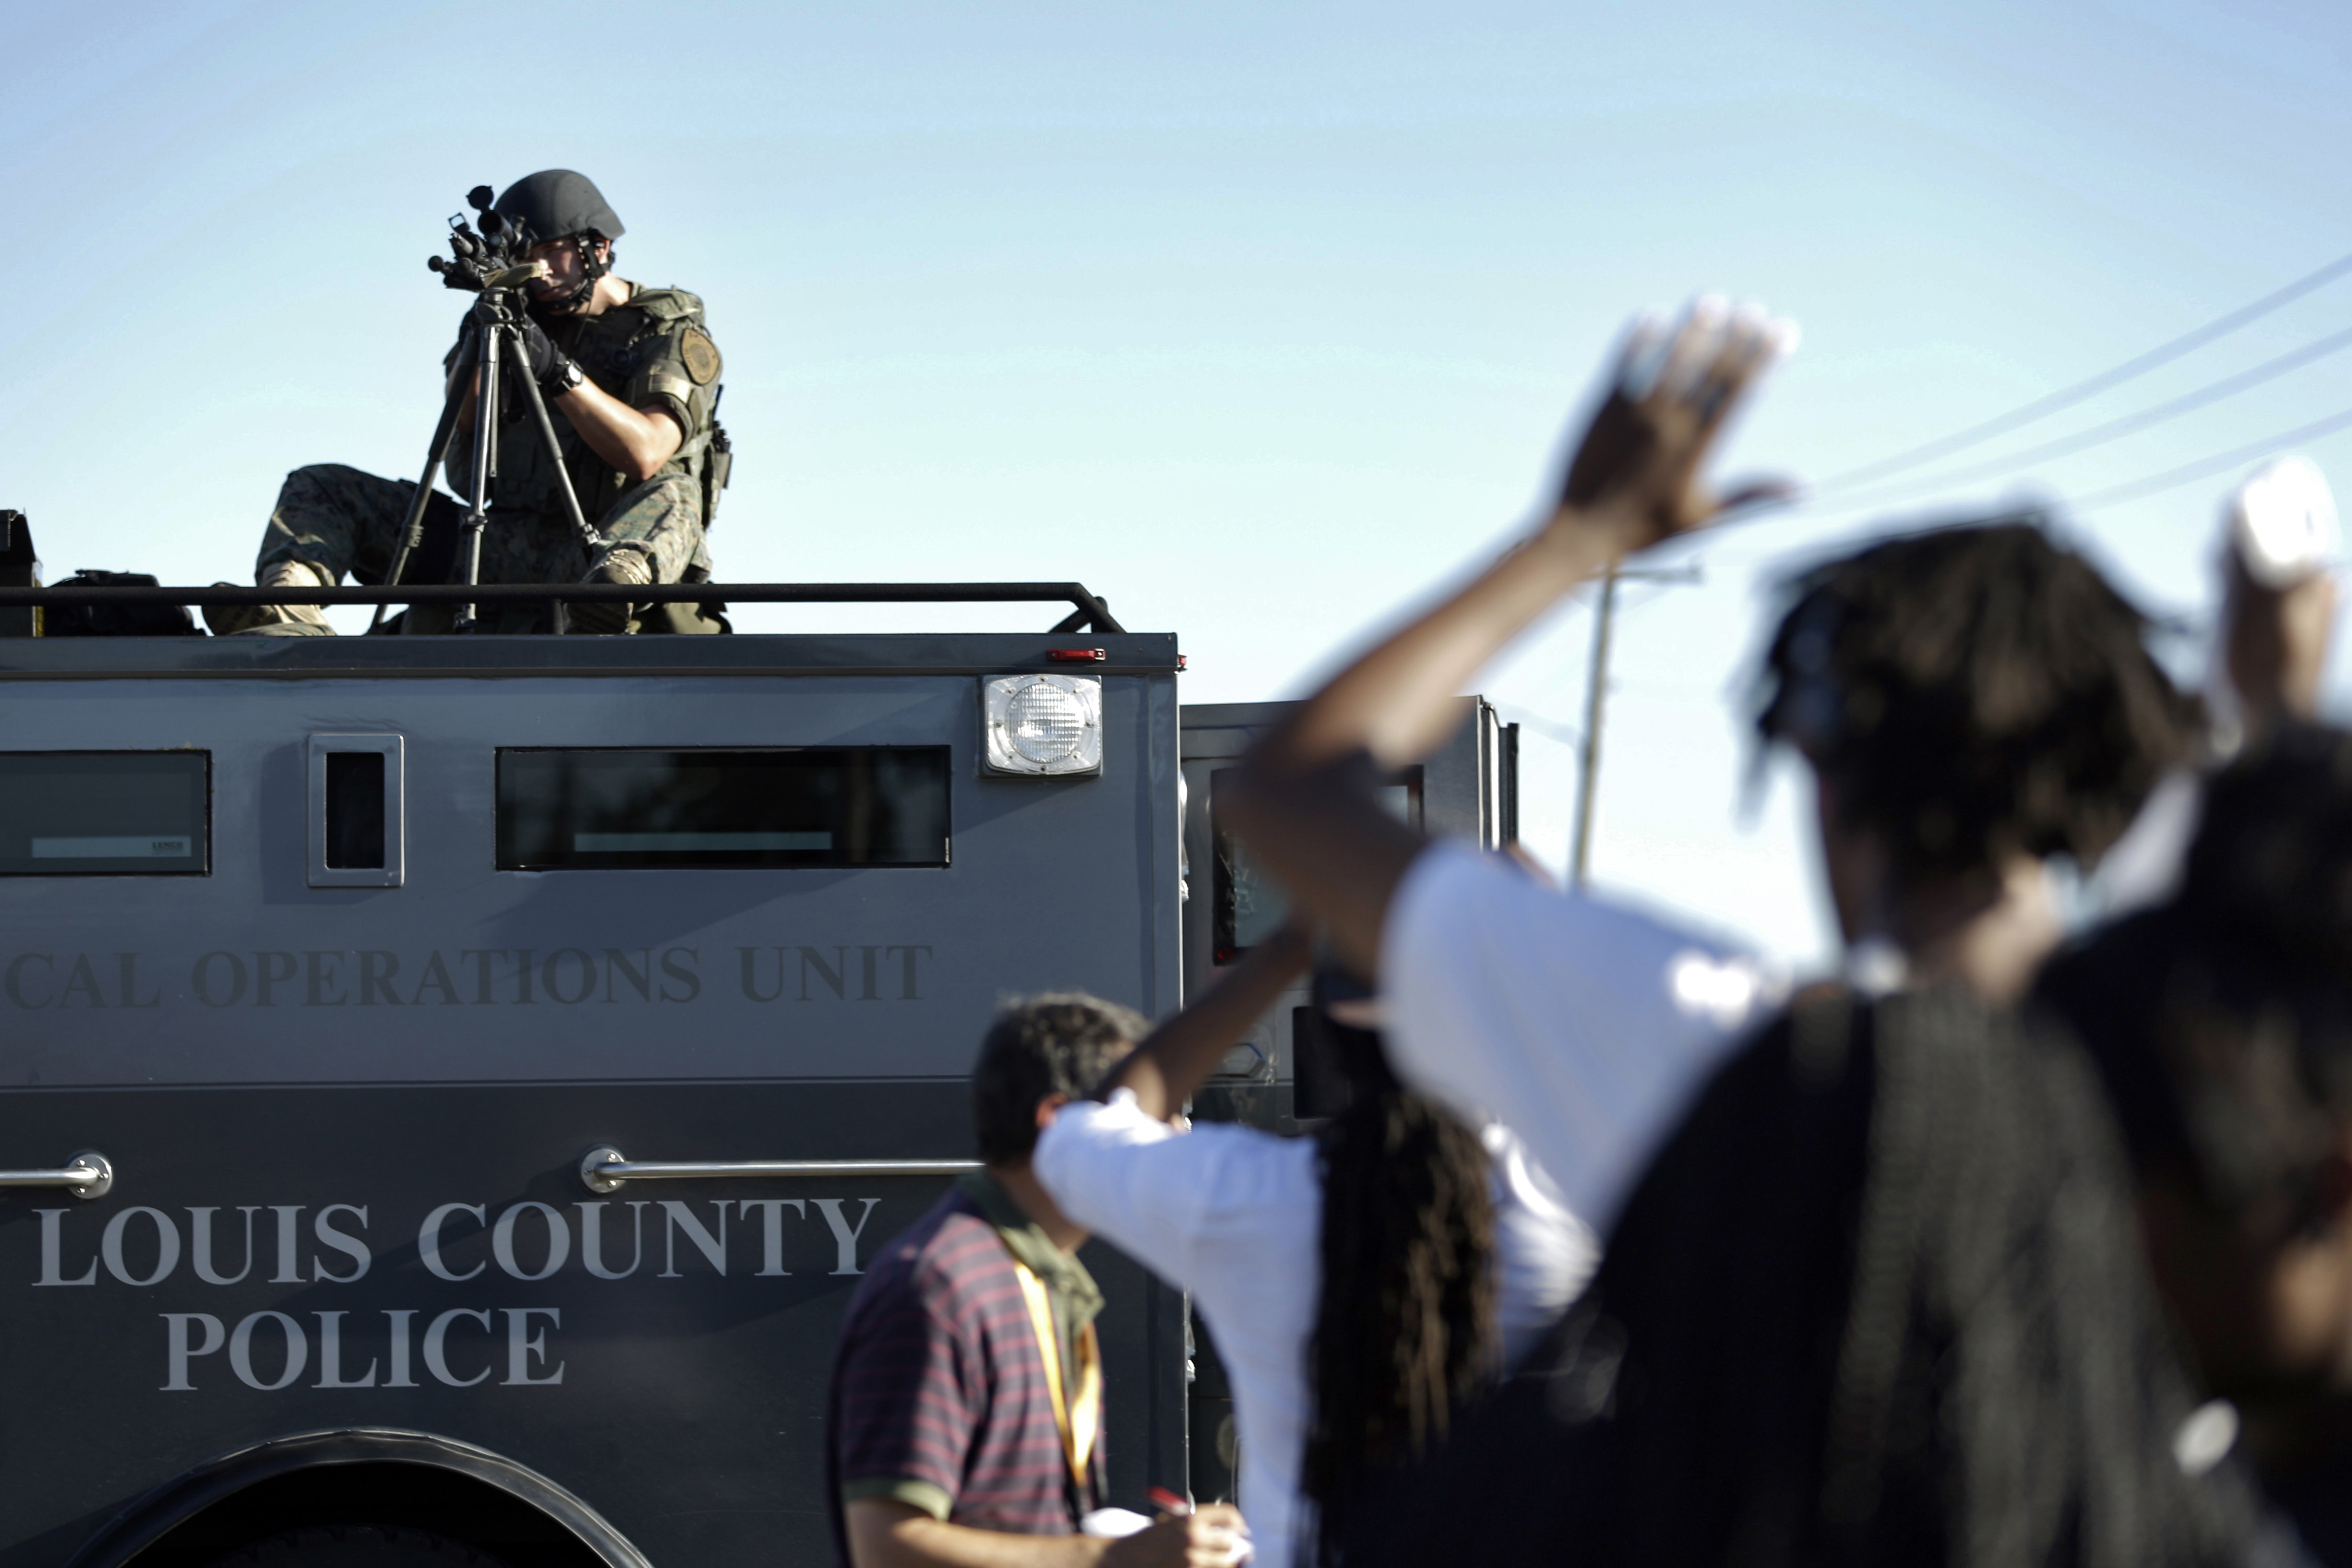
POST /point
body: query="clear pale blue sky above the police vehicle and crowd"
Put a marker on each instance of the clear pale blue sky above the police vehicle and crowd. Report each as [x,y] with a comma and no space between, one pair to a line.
[1259,319]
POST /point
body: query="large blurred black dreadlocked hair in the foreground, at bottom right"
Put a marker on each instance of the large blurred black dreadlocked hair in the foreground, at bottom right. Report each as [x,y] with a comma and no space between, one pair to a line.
[1878,1301]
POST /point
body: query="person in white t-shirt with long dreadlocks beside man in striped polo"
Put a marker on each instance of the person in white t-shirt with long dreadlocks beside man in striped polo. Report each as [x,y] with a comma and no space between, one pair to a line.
[1361,1282]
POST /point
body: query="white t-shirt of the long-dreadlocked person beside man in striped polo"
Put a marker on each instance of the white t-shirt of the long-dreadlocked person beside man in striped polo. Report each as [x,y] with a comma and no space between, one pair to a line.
[1234,1217]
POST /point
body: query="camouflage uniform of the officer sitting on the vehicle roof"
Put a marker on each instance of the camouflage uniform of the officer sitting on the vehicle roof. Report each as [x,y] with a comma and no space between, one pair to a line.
[650,354]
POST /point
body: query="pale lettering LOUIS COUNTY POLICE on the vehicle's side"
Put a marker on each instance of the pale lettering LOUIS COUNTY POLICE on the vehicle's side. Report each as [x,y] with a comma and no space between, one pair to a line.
[455,1346]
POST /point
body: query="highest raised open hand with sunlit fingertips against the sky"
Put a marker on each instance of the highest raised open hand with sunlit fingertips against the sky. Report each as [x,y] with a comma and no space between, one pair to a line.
[1671,394]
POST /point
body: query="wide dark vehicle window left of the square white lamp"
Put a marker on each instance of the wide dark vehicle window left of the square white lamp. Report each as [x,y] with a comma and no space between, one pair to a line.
[702,808]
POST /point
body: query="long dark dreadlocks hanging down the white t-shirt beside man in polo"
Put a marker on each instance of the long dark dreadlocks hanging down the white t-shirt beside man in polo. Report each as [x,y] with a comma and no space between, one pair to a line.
[1405,1325]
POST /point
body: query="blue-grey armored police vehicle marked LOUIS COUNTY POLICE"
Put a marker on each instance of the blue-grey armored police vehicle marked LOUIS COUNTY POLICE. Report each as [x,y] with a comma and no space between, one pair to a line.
[455,1083]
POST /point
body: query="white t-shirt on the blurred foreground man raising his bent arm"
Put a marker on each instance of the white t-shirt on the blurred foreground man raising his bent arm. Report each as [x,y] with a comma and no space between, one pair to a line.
[1586,1024]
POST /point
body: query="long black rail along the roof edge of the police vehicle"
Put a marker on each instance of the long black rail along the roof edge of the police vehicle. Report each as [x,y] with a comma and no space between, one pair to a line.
[1088,610]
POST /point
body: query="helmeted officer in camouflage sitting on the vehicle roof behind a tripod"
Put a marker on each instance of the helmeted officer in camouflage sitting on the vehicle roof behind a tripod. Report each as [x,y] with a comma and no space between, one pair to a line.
[629,377]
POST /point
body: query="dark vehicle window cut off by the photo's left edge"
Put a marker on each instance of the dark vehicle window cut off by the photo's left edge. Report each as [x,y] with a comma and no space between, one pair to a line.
[76,815]
